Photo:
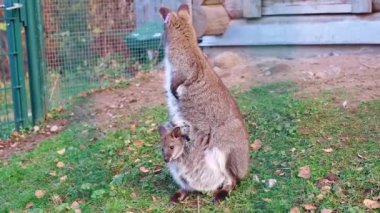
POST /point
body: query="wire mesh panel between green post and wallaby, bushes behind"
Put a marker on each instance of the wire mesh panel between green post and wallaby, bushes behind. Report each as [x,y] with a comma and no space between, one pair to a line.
[94,43]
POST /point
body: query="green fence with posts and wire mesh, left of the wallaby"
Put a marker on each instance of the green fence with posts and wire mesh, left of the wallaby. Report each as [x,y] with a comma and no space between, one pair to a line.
[85,44]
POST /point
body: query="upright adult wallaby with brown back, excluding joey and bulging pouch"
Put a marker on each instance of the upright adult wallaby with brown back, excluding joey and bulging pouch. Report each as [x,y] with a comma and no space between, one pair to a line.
[196,94]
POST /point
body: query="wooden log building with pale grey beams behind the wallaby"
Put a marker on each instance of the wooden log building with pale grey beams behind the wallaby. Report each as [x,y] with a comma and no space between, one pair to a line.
[237,23]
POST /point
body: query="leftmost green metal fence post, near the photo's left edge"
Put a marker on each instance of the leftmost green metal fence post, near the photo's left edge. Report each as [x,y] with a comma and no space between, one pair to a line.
[13,20]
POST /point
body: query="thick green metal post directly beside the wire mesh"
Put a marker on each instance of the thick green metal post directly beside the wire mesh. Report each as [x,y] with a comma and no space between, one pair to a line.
[34,60]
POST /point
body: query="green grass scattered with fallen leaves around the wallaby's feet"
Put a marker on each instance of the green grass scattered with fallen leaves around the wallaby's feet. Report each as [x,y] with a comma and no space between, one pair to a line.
[105,174]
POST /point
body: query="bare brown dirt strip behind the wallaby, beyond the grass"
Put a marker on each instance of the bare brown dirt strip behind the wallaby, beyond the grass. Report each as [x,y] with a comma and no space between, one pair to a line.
[357,78]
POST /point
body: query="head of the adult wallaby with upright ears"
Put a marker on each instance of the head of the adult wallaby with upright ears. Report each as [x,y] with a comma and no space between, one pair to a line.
[178,26]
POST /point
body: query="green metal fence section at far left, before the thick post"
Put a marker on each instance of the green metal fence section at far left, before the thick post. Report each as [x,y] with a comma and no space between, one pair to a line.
[13,101]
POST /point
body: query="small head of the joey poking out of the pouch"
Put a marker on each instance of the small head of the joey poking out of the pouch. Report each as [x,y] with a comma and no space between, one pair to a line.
[172,143]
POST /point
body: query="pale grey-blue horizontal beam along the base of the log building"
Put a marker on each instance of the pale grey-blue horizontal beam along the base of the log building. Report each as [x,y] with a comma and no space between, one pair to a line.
[309,30]
